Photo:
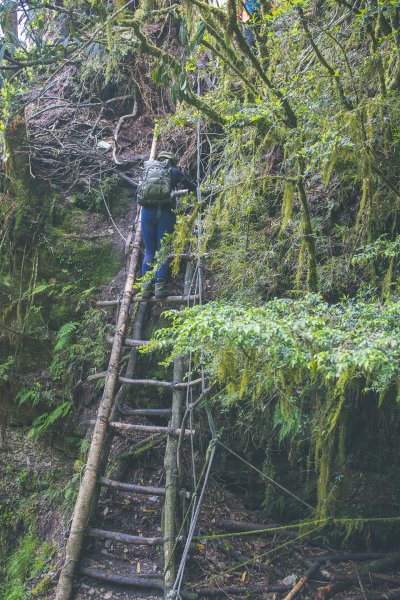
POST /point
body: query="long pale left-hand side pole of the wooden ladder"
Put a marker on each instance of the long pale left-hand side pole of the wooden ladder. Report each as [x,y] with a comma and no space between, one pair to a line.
[87,489]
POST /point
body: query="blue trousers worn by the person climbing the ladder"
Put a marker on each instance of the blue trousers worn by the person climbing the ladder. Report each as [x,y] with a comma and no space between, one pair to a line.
[155,223]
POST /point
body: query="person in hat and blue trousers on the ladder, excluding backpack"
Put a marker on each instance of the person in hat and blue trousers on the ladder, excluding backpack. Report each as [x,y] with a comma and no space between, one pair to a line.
[157,221]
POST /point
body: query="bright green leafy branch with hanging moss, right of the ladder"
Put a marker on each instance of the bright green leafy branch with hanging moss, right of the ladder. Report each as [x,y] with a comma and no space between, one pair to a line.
[312,359]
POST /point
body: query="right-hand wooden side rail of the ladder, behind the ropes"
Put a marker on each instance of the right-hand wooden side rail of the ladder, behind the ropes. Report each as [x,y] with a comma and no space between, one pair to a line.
[171,465]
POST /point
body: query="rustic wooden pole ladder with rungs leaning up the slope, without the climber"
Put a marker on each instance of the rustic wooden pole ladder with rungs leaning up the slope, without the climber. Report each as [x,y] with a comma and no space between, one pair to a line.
[105,424]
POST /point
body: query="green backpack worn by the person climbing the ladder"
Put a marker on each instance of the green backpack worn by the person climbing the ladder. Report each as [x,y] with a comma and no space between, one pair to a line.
[155,187]
